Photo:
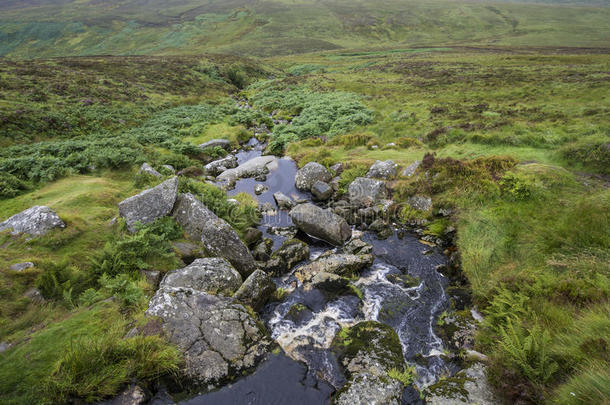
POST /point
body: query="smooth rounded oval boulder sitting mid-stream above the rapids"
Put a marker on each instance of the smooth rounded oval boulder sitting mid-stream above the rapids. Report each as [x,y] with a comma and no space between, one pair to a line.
[322,224]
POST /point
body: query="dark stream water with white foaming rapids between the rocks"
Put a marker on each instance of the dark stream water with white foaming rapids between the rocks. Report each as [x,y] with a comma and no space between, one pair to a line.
[402,289]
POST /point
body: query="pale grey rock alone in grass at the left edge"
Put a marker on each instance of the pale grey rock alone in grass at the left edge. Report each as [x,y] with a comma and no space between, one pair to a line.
[36,221]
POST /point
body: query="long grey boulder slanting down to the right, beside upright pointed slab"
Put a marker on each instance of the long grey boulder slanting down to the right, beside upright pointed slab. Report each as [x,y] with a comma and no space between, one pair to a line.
[217,236]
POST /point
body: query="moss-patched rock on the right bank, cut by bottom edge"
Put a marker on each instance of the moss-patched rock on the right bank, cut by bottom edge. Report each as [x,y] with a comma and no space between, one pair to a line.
[468,386]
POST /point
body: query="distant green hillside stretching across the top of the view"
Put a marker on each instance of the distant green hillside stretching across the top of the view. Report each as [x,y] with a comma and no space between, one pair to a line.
[42,28]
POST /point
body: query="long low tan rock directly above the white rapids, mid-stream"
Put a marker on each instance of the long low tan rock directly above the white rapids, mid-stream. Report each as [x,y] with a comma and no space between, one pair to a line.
[345,265]
